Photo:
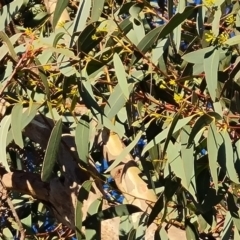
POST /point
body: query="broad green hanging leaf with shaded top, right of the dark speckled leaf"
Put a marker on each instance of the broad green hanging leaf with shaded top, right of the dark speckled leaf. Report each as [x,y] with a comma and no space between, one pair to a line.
[82,134]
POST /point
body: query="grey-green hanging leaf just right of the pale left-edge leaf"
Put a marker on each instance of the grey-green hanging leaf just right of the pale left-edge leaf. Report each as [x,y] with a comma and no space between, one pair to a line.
[16,120]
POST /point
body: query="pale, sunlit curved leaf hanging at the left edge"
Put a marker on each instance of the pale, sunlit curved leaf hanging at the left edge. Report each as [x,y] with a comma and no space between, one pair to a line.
[4,126]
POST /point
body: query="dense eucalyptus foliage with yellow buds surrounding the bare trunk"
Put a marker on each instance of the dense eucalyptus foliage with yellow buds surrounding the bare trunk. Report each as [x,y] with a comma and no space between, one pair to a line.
[163,76]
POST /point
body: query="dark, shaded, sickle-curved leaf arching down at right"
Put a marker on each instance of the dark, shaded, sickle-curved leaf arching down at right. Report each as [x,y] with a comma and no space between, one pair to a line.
[202,122]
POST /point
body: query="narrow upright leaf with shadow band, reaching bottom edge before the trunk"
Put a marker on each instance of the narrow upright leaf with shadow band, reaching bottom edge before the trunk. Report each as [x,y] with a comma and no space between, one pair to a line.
[82,196]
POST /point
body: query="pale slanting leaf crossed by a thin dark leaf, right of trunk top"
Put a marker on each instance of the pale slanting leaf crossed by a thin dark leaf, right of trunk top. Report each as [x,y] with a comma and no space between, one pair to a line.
[162,135]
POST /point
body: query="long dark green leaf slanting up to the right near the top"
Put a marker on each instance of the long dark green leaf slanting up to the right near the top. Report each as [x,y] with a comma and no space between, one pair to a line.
[159,33]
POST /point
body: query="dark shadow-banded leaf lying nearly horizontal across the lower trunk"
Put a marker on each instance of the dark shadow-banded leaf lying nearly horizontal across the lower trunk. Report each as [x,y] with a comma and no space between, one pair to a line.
[112,212]
